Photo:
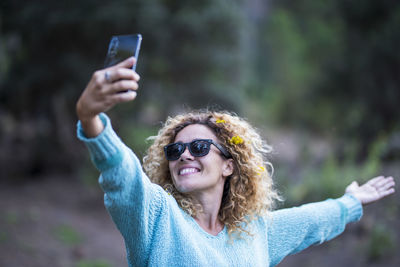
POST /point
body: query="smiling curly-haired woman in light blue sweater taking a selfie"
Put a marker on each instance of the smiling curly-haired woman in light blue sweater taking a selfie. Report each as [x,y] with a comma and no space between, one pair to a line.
[209,197]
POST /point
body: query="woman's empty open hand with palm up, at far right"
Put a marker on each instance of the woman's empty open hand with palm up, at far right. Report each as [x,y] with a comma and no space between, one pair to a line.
[373,190]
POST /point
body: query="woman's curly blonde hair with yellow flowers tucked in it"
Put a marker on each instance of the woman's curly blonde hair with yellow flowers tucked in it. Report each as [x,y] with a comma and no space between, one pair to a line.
[248,192]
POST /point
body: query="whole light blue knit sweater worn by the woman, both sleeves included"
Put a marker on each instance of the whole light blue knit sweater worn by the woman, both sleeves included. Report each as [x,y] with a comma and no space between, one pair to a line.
[157,232]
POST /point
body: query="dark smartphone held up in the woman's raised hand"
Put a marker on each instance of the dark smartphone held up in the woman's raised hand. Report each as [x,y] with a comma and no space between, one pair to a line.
[121,47]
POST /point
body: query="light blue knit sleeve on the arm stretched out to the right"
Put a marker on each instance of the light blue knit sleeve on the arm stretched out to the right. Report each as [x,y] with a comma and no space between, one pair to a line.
[294,229]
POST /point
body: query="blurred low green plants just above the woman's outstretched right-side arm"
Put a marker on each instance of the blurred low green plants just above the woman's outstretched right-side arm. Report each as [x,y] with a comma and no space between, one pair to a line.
[329,178]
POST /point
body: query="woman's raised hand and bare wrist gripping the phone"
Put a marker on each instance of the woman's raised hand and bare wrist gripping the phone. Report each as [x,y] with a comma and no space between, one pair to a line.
[106,88]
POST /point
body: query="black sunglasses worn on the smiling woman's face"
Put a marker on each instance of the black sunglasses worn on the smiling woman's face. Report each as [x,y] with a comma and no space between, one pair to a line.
[198,148]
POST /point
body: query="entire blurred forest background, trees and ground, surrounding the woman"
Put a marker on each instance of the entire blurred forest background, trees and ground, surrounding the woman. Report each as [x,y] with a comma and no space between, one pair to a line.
[320,79]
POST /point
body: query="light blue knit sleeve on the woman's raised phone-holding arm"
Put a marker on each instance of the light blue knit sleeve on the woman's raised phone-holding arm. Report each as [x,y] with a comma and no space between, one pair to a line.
[133,202]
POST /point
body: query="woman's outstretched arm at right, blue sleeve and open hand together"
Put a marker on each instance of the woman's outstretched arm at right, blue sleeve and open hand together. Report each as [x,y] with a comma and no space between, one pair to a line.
[292,230]
